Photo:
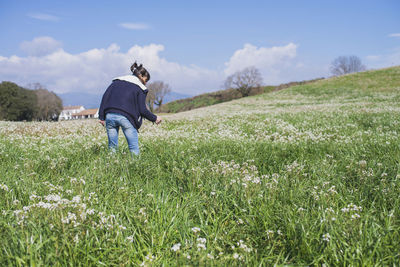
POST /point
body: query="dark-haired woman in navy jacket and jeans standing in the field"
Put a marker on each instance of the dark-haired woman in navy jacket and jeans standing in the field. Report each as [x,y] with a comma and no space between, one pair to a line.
[124,105]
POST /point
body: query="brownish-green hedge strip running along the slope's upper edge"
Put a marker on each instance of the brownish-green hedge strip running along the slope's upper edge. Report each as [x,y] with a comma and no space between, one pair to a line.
[221,96]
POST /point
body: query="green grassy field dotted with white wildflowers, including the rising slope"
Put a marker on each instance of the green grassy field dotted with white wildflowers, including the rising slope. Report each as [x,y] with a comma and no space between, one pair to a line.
[309,175]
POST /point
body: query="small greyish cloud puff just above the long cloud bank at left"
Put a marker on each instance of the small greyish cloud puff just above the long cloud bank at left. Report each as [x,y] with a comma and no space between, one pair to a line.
[40,46]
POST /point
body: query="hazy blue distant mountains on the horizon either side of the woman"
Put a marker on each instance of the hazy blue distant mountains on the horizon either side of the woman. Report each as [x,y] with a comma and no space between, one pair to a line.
[93,101]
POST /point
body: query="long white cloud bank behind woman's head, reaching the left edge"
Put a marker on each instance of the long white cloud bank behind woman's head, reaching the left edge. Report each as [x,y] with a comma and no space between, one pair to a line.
[93,70]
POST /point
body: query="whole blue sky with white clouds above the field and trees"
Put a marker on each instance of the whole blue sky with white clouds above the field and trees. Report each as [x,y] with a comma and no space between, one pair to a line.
[80,46]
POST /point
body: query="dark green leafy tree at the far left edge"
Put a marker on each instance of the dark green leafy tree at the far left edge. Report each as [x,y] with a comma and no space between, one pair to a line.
[17,103]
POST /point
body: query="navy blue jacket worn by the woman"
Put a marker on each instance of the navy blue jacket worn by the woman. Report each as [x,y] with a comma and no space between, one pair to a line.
[128,99]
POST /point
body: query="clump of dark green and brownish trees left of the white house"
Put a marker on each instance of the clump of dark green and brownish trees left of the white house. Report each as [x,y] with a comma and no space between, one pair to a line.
[34,104]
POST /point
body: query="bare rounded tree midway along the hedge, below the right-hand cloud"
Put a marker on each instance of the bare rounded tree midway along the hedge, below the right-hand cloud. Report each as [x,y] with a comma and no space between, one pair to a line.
[244,81]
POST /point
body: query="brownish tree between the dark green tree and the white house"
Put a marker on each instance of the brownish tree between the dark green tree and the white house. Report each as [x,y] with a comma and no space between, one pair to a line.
[49,104]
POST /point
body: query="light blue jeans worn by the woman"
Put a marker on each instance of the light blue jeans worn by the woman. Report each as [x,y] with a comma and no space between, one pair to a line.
[113,122]
